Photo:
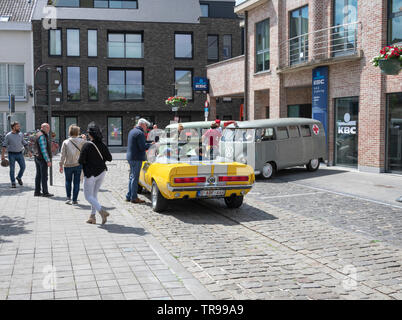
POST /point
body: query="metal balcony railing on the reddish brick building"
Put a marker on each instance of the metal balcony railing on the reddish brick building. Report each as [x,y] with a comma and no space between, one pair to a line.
[338,41]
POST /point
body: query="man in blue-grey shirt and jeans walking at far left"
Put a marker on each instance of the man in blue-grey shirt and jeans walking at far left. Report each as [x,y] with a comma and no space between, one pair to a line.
[15,144]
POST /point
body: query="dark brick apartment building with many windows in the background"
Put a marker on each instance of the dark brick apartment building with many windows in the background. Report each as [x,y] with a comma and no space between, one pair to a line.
[120,60]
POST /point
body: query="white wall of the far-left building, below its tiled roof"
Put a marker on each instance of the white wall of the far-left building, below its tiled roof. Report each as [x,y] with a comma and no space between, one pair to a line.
[16,73]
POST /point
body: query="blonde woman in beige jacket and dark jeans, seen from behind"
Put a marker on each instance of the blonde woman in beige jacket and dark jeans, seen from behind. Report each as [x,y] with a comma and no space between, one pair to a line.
[70,153]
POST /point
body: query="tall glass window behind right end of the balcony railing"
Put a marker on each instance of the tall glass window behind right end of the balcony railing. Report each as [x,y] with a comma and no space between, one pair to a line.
[345,33]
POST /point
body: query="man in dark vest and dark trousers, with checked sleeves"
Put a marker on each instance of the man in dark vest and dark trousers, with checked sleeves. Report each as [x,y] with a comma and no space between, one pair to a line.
[43,153]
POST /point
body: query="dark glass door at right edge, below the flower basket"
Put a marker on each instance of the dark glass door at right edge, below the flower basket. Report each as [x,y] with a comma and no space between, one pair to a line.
[394,138]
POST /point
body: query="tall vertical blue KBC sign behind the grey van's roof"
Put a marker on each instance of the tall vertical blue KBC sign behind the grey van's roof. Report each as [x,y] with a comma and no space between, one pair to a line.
[320,96]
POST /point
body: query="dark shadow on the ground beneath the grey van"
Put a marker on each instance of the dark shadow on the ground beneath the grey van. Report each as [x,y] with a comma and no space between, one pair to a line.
[298,173]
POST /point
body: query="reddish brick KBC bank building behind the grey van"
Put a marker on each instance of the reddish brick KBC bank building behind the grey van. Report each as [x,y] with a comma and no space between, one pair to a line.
[288,43]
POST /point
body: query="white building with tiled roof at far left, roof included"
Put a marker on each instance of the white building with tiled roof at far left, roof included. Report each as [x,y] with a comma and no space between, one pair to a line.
[16,62]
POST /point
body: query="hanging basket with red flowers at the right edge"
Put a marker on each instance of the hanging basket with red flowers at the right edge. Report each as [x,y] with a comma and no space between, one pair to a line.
[389,60]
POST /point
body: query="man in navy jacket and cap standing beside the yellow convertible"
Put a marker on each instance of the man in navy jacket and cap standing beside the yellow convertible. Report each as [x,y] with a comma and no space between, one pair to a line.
[136,147]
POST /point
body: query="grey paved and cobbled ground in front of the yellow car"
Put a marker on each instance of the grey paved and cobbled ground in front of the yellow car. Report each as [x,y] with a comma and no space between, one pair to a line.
[287,241]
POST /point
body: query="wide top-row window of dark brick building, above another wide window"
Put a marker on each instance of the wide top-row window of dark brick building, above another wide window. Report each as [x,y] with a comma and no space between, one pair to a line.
[125,45]
